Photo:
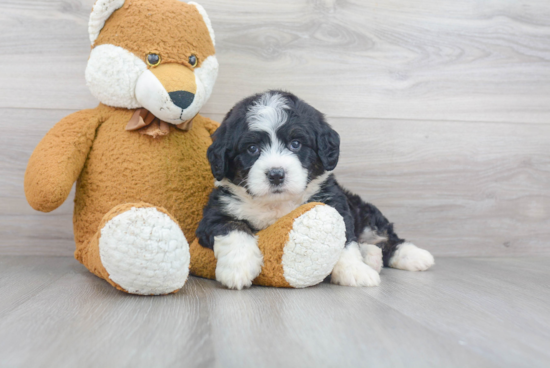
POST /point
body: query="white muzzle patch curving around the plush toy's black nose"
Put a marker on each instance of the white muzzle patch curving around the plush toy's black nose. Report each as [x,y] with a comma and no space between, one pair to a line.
[152,95]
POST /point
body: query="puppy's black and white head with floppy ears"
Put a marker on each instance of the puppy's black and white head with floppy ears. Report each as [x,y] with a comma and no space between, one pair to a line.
[273,144]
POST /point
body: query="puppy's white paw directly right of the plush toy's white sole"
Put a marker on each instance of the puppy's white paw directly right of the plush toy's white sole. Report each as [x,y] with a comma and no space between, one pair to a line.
[350,270]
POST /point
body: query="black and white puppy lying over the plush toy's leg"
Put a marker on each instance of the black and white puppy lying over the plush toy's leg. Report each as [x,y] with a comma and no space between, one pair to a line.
[272,153]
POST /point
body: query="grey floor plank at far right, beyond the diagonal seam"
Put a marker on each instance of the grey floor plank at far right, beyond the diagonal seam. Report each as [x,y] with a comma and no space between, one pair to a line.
[489,306]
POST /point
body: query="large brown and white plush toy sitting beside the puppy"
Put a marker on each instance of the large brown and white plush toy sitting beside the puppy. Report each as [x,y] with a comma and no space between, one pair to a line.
[139,159]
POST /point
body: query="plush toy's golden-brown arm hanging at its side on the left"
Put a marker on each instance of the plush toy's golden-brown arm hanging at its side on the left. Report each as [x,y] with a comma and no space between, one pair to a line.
[58,159]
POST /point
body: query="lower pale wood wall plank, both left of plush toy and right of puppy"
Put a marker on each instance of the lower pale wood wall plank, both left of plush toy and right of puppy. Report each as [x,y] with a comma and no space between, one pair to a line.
[454,188]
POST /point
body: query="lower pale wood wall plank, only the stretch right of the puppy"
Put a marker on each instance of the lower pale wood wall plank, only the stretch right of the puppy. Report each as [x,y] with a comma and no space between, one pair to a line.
[455,188]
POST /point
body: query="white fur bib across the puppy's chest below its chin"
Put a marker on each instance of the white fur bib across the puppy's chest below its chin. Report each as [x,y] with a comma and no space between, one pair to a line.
[262,212]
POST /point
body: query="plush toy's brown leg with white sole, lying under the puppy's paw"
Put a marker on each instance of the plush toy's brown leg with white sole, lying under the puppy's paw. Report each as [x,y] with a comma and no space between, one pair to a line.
[299,250]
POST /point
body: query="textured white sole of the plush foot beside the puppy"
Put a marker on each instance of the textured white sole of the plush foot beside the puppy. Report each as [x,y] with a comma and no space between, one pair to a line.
[314,246]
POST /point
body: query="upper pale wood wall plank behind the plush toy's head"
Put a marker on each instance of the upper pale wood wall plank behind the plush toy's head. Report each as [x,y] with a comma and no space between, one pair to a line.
[445,60]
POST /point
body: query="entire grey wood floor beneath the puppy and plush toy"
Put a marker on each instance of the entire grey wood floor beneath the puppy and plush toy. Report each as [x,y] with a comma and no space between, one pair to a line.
[465,312]
